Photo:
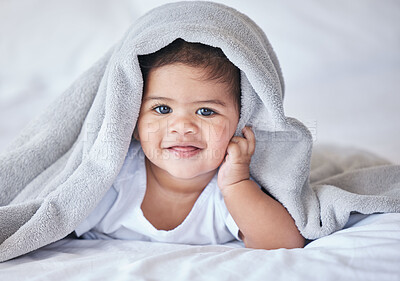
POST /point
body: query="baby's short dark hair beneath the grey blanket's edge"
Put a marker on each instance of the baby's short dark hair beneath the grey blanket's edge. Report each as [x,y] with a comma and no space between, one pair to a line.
[218,66]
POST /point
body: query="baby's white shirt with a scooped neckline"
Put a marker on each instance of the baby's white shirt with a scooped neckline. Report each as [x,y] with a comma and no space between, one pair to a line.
[119,216]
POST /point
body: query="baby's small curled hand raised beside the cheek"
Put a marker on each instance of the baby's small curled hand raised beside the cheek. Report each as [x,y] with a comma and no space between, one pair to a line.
[235,167]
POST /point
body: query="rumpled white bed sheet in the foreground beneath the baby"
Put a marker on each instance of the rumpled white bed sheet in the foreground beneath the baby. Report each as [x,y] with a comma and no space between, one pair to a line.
[367,250]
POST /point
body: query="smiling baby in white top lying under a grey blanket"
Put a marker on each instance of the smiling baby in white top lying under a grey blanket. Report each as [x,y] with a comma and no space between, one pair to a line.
[186,176]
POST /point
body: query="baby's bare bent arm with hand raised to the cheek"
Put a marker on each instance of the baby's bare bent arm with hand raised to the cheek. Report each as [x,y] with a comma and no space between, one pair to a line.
[263,222]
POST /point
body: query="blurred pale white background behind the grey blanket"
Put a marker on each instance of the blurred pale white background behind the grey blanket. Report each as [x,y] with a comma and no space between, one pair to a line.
[340,60]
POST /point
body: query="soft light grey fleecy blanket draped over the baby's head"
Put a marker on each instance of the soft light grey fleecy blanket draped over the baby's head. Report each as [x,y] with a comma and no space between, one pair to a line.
[57,170]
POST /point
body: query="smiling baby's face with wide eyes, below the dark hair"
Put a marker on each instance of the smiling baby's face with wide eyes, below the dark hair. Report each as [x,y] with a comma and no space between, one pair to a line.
[186,122]
